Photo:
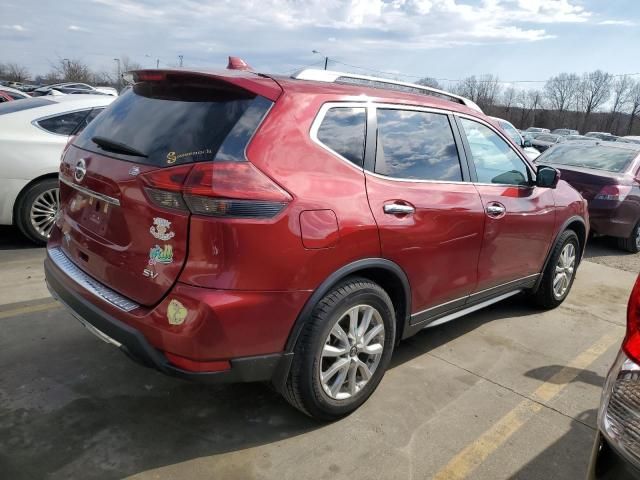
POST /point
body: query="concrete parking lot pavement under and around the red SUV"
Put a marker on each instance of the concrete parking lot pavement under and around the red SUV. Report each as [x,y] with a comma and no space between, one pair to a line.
[504,393]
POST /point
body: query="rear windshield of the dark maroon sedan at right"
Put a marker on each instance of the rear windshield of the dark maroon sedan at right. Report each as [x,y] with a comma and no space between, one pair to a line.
[611,159]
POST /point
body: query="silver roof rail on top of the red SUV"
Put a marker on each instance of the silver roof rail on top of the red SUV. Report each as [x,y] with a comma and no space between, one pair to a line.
[379,82]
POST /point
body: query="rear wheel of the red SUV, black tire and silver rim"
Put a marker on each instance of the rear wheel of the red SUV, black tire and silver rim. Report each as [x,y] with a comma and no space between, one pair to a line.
[343,350]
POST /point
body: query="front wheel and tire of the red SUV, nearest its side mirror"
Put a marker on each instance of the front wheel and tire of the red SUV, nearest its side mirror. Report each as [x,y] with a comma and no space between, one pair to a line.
[560,272]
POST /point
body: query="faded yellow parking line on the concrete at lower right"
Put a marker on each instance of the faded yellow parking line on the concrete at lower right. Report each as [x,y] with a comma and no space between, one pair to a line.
[472,456]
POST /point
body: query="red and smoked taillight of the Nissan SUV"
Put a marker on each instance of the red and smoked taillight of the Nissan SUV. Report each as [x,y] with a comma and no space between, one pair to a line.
[219,189]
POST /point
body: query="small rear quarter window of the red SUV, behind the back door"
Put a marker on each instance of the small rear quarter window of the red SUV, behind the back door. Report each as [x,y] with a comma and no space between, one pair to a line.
[343,131]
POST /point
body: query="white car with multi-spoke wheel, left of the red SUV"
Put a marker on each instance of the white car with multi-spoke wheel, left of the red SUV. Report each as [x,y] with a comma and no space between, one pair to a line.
[33,133]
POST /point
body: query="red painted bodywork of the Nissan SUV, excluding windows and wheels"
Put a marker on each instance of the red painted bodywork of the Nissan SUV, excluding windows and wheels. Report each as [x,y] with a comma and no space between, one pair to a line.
[244,282]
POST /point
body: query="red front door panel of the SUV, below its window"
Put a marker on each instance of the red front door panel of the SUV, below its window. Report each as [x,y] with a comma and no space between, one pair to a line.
[516,244]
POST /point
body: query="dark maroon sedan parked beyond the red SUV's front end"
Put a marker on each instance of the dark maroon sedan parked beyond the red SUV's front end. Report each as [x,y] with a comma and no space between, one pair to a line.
[607,174]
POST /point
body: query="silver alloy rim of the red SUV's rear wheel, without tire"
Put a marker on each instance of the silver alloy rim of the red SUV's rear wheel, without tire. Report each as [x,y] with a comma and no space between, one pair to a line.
[352,352]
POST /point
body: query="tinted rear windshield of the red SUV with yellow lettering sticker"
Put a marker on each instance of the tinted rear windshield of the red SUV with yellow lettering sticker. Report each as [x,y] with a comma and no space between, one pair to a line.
[171,124]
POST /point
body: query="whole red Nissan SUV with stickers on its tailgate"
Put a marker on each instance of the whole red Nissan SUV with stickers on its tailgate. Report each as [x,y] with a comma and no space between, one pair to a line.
[235,226]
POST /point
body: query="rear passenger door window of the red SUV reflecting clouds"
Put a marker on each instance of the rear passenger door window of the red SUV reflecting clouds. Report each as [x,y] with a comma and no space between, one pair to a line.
[416,145]
